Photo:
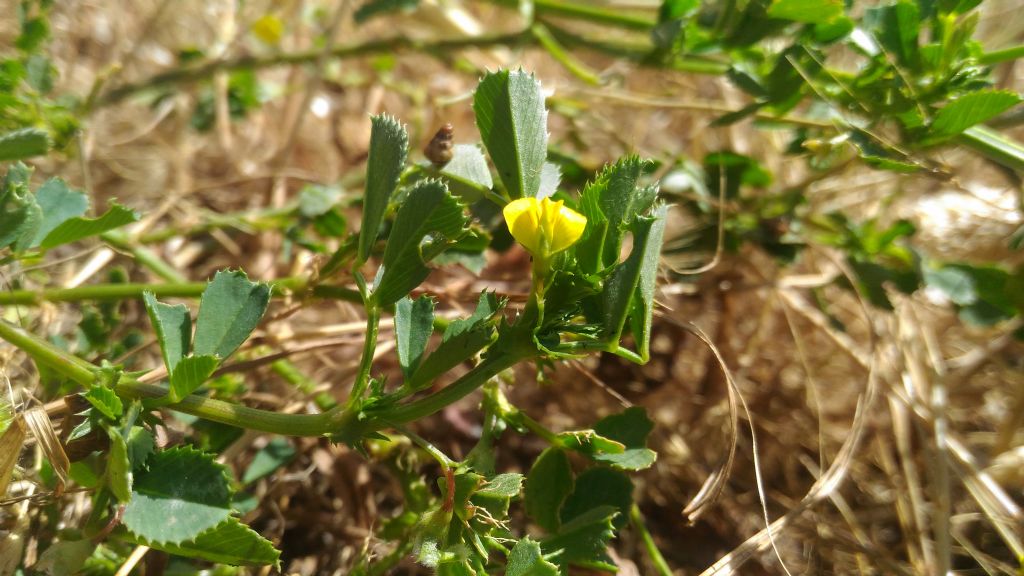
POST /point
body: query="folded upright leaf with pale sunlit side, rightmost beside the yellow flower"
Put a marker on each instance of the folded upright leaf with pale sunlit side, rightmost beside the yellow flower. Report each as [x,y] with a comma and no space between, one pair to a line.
[623,285]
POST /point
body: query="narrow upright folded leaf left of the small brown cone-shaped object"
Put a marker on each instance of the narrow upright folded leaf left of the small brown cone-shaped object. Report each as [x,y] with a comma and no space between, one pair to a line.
[389,149]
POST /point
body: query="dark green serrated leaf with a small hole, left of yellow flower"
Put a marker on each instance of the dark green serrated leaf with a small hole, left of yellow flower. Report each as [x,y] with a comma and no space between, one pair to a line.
[430,221]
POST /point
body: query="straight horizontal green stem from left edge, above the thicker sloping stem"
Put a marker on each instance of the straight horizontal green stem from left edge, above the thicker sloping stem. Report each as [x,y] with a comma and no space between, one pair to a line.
[172,291]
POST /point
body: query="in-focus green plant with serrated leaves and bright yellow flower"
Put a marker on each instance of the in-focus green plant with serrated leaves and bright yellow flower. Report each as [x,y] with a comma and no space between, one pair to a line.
[180,501]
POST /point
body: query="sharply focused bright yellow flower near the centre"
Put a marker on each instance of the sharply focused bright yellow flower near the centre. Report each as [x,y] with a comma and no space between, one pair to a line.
[543,227]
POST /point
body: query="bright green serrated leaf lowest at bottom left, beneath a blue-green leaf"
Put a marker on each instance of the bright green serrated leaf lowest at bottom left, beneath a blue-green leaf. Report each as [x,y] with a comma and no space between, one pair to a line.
[229,543]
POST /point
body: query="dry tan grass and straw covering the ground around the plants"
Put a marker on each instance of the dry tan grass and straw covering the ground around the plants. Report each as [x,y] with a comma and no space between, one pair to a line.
[891,447]
